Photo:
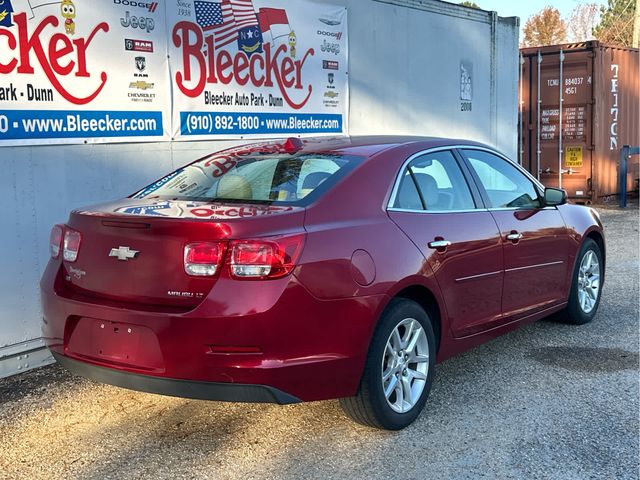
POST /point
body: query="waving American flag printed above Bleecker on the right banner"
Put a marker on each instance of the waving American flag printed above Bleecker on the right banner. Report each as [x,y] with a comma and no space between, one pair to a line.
[224,18]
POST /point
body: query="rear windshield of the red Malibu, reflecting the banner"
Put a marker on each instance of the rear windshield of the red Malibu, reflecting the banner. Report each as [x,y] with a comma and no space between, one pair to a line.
[285,179]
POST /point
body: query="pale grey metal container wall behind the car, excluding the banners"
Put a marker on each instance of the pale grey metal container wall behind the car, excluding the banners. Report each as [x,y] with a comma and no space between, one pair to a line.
[421,67]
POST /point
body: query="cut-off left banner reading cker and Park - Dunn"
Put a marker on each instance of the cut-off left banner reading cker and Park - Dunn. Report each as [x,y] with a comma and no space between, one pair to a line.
[83,70]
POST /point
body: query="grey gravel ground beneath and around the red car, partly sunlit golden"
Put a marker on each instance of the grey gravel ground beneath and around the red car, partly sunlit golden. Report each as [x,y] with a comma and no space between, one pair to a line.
[548,401]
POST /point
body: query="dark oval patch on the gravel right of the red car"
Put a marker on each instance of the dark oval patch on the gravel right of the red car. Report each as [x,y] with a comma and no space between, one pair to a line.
[587,359]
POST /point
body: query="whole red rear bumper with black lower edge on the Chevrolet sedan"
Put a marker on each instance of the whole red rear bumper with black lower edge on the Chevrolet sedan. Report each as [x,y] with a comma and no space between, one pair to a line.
[306,349]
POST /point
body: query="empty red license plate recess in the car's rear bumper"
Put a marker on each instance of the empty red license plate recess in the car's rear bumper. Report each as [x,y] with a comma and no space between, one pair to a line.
[115,344]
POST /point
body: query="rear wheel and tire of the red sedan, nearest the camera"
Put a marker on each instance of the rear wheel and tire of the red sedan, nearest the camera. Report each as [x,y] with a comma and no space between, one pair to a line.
[403,346]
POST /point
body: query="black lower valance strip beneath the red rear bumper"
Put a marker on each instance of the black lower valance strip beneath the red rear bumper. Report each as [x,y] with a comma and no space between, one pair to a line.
[223,392]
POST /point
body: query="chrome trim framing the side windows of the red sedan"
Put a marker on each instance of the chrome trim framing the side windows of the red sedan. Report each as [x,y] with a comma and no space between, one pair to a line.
[396,185]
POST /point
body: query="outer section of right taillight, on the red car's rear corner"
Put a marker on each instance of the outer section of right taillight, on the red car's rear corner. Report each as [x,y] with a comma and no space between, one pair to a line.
[265,258]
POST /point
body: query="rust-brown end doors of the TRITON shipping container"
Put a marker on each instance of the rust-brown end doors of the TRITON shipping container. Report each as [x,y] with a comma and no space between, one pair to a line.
[561,128]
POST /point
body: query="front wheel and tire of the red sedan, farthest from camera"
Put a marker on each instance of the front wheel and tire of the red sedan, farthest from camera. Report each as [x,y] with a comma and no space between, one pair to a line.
[582,283]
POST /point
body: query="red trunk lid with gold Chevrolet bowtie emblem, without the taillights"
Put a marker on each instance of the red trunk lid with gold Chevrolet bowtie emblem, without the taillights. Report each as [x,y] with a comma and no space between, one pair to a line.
[133,251]
